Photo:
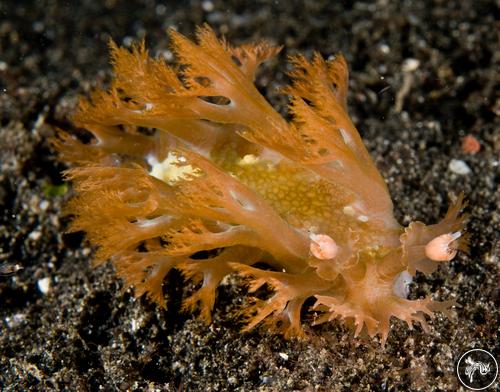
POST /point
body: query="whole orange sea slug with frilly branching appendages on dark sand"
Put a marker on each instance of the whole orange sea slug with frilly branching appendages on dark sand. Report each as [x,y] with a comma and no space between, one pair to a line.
[189,167]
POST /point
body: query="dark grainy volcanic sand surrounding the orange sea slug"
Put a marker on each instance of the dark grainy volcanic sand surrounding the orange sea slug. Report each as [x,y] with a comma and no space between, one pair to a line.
[83,332]
